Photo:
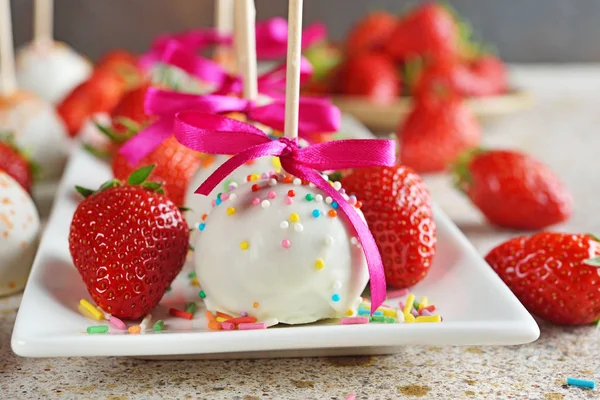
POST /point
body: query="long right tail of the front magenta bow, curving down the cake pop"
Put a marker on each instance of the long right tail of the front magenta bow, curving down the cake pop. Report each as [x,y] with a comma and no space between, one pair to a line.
[363,233]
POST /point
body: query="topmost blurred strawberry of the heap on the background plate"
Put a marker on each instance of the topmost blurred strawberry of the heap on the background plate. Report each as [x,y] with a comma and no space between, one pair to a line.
[428,30]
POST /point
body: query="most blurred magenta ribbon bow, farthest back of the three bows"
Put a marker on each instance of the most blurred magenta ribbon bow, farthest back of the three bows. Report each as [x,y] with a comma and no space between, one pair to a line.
[271,82]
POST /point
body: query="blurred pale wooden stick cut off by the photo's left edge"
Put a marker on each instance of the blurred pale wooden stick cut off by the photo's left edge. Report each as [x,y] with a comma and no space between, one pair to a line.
[8,82]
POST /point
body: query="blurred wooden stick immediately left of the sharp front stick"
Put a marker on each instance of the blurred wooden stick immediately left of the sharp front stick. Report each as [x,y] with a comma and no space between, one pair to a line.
[245,32]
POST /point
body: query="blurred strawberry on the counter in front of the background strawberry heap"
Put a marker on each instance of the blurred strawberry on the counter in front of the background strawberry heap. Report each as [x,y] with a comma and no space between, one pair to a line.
[436,132]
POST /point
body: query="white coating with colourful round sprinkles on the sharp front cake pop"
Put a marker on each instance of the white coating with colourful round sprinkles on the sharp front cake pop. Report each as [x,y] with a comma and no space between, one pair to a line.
[319,274]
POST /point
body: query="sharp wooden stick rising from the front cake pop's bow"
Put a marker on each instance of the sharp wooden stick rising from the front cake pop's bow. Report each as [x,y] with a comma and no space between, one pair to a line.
[292,87]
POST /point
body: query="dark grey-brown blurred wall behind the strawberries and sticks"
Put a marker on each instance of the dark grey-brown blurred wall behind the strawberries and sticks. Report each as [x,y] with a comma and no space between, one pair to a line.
[522,30]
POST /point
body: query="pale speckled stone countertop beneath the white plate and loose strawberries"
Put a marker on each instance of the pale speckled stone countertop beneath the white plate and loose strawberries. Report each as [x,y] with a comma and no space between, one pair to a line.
[563,129]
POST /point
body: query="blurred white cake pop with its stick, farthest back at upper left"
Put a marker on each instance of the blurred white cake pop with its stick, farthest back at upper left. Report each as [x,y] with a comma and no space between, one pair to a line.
[48,68]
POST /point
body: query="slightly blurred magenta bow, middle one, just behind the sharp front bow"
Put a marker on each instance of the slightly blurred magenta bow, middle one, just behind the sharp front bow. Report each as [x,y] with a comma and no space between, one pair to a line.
[316,116]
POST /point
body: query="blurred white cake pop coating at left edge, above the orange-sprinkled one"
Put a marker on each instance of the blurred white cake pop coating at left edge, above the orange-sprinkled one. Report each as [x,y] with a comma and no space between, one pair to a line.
[38,130]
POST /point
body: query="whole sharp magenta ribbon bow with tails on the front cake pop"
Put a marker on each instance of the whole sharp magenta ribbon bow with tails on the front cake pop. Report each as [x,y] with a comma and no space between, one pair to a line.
[214,134]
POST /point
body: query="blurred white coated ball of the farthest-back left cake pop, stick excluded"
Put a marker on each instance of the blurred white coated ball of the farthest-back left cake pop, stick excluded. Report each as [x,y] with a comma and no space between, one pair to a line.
[51,71]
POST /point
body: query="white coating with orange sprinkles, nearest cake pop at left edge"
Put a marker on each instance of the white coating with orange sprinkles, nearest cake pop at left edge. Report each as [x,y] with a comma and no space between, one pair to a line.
[19,230]
